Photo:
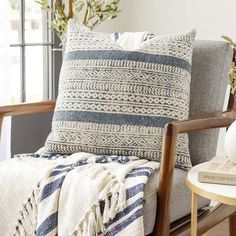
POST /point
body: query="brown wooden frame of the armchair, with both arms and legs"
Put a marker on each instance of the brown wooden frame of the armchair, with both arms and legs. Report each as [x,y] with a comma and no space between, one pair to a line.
[164,187]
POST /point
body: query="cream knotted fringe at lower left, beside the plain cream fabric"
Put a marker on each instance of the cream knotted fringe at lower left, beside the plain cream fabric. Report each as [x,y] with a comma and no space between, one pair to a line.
[27,221]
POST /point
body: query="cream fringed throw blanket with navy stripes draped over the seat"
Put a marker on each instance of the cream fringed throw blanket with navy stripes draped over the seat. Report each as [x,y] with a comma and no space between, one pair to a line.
[82,195]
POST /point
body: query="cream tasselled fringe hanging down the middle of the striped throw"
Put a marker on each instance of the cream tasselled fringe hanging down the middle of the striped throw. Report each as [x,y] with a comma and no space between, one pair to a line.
[113,195]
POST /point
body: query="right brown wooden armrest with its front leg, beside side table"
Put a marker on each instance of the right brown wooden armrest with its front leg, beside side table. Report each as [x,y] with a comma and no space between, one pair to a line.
[216,120]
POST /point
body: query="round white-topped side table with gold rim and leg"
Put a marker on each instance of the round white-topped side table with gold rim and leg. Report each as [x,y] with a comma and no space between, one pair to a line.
[221,193]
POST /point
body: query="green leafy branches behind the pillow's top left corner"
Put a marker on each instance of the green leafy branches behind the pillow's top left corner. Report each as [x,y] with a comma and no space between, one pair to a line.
[90,12]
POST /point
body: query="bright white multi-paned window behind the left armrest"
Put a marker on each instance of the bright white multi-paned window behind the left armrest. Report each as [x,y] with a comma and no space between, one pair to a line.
[31,70]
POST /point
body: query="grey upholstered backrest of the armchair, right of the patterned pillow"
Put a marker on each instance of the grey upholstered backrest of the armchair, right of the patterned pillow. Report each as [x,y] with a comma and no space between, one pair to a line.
[211,64]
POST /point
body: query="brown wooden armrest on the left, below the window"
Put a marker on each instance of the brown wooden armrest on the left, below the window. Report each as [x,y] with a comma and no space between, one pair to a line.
[25,108]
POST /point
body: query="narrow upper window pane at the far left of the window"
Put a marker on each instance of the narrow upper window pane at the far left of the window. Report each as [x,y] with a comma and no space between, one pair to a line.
[14,21]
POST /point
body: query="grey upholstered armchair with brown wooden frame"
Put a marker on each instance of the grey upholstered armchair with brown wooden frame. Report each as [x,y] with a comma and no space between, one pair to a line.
[211,62]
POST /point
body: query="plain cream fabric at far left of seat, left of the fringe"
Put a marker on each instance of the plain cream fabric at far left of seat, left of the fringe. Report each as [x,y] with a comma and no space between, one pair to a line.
[18,178]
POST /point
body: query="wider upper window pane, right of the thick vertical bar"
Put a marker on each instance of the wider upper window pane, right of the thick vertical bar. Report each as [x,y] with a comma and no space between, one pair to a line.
[33,22]
